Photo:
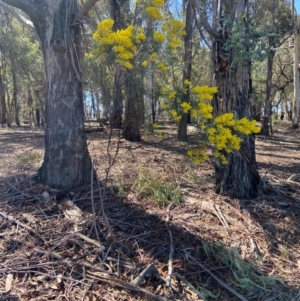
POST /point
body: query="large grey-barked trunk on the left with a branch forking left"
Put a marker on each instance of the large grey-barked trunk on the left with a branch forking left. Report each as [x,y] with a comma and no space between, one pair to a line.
[66,162]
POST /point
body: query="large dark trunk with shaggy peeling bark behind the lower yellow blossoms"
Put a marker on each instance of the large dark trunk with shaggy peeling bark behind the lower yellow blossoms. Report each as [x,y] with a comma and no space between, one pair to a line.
[229,30]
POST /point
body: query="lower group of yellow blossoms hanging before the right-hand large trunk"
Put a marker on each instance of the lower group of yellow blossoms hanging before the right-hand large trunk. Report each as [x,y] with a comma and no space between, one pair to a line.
[224,132]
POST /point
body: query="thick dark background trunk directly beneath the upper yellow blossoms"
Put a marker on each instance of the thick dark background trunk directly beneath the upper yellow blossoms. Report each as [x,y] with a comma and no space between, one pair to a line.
[131,131]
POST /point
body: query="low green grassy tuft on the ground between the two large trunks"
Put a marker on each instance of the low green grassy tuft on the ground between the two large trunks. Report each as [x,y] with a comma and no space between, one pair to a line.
[156,188]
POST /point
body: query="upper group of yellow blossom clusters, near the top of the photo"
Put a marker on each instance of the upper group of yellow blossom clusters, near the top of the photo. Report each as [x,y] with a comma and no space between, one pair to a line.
[124,43]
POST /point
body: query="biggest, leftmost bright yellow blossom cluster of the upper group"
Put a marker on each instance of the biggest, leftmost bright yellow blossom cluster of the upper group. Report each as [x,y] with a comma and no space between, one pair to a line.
[122,42]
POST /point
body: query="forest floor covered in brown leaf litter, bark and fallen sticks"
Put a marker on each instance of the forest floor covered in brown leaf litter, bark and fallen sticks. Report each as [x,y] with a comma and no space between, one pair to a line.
[129,242]
